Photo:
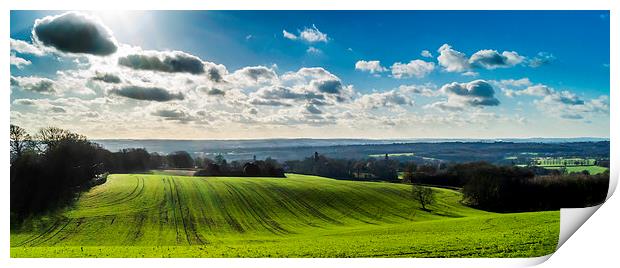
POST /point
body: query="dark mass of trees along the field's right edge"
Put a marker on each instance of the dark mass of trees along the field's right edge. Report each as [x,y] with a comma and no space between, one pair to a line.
[509,188]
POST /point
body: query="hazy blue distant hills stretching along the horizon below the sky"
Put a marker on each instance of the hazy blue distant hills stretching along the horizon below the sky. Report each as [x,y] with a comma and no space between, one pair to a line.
[287,149]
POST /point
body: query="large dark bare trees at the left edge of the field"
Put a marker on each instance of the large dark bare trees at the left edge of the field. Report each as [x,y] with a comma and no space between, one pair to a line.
[49,169]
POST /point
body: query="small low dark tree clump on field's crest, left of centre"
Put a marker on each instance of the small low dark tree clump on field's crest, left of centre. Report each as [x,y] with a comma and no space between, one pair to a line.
[256,168]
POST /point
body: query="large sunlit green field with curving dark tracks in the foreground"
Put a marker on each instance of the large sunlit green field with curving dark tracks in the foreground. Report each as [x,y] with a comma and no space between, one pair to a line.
[299,216]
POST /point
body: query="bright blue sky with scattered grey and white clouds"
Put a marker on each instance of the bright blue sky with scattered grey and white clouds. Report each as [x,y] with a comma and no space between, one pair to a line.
[312,74]
